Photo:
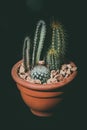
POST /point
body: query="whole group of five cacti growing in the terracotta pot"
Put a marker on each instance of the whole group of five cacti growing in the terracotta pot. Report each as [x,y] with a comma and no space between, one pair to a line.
[54,55]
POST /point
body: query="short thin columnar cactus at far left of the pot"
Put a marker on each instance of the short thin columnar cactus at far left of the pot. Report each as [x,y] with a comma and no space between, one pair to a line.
[26,53]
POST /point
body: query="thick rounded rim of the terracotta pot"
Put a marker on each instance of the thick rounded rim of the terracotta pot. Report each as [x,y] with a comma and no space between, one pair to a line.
[40,87]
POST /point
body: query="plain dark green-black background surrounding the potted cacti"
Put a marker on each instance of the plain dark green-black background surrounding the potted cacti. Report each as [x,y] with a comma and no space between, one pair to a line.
[17,19]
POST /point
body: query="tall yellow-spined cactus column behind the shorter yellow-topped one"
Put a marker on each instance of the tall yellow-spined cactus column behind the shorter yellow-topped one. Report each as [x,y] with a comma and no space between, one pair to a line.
[59,39]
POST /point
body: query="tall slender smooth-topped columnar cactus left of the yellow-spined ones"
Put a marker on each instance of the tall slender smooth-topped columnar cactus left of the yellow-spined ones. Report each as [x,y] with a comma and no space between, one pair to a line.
[38,41]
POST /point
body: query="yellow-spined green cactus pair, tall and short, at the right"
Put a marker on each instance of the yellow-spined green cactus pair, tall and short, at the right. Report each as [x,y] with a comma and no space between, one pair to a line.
[56,53]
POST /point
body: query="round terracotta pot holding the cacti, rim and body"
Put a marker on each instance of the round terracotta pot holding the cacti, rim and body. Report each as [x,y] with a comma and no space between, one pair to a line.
[42,99]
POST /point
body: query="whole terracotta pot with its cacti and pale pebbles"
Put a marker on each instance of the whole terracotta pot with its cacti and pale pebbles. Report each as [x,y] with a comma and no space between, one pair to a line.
[41,77]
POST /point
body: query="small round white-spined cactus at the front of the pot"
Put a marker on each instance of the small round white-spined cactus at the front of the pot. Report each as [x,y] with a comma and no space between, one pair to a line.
[40,72]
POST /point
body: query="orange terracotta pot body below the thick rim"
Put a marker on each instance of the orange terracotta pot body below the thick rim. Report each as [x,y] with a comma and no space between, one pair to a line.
[40,102]
